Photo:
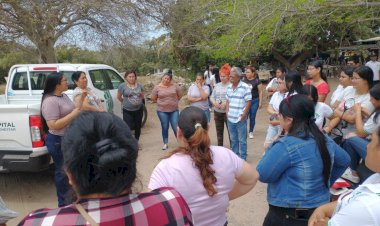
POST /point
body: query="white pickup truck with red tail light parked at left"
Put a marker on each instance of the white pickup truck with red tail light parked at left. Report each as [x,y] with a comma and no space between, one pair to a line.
[22,145]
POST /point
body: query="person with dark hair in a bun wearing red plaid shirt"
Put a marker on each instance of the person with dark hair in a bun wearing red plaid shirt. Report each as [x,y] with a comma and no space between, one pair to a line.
[100,156]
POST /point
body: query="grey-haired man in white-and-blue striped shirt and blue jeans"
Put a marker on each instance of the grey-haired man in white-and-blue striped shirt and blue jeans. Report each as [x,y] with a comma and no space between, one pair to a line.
[238,104]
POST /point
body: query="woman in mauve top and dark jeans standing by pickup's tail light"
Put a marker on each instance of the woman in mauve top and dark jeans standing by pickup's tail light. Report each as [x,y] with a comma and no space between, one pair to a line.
[57,112]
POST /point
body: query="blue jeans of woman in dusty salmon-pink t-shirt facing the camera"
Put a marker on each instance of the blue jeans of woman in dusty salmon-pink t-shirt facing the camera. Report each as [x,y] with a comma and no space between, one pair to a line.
[165,118]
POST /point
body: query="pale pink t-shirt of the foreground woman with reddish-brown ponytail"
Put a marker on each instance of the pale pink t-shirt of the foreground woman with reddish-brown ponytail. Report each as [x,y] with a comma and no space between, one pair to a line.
[179,172]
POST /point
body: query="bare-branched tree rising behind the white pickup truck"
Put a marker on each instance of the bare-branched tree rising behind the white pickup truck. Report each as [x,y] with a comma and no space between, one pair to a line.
[44,23]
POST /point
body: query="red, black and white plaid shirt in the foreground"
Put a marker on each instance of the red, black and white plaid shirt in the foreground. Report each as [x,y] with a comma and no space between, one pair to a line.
[163,206]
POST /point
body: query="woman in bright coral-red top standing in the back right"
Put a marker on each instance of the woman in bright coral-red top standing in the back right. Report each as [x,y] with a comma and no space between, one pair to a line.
[318,79]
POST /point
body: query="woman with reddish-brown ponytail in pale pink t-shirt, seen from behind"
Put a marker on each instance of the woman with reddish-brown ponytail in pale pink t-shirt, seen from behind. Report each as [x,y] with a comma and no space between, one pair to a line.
[206,176]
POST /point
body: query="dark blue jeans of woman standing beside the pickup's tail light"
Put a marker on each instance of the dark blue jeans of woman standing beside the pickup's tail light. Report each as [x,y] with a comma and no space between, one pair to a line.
[53,144]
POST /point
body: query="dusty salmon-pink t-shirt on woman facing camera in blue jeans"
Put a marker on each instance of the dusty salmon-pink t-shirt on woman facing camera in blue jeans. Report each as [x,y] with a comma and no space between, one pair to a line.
[167,98]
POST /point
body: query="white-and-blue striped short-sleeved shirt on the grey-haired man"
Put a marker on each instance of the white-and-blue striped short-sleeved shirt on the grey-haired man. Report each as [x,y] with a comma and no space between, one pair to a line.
[237,100]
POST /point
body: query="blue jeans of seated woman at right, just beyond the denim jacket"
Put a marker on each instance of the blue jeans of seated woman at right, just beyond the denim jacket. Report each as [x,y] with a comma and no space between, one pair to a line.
[356,147]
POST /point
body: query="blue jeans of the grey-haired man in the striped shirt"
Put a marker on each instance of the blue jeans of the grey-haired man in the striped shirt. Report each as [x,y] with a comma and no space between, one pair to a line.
[238,136]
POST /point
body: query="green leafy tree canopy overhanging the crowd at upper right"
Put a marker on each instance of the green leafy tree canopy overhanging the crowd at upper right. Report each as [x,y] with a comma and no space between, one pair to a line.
[290,31]
